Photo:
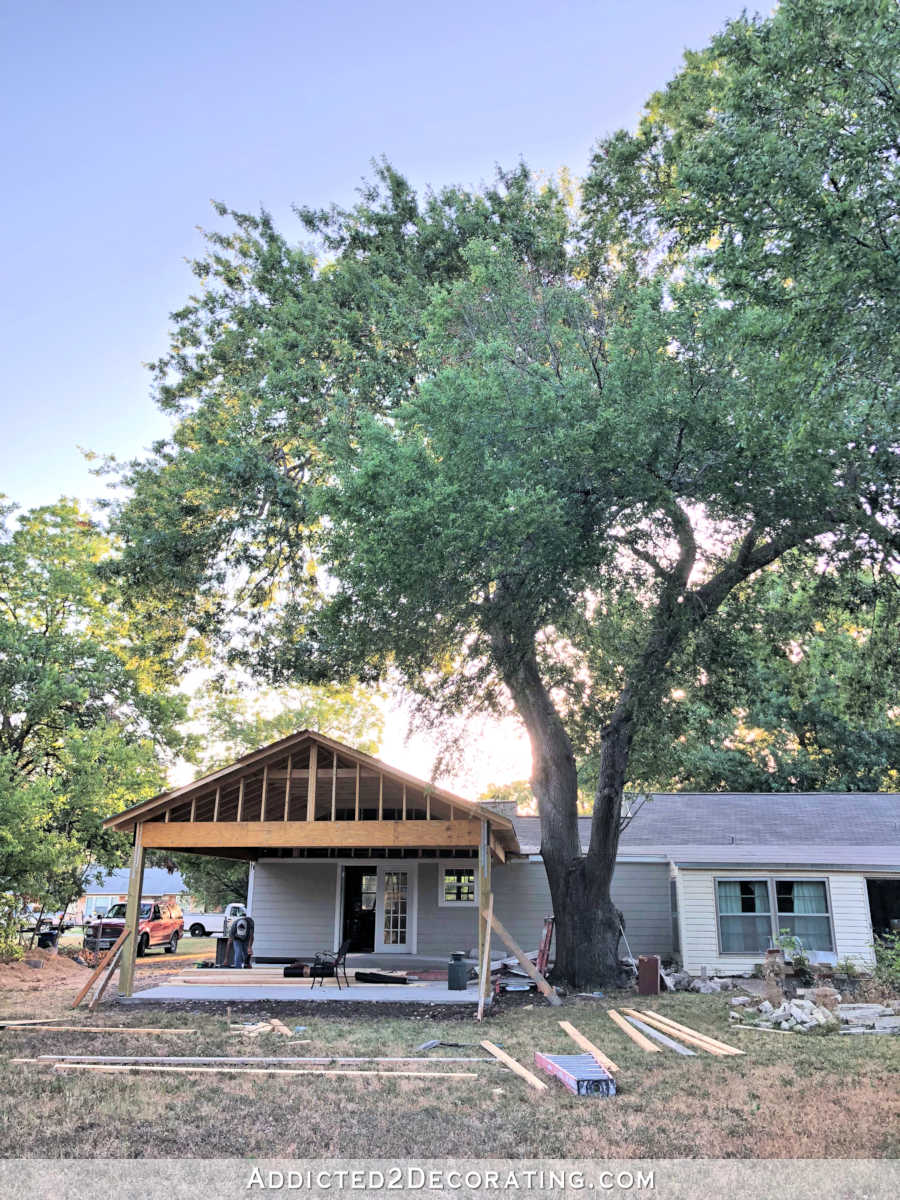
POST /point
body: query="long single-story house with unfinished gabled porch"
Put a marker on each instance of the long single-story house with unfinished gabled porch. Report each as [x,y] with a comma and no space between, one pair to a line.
[349,849]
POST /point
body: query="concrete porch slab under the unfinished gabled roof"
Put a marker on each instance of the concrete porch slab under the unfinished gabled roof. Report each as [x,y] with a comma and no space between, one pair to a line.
[376,994]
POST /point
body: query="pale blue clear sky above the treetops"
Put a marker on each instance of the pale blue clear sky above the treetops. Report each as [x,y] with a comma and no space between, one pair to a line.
[123,121]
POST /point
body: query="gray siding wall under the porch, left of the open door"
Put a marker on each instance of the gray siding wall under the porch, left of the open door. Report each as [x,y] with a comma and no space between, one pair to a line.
[293,909]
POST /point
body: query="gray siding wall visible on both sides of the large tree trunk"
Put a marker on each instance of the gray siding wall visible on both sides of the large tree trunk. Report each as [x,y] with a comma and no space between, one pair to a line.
[521,901]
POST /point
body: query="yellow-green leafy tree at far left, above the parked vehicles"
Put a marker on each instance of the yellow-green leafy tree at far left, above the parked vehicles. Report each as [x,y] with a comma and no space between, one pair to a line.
[88,717]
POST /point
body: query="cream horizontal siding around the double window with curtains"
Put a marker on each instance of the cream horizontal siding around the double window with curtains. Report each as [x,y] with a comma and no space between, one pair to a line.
[699,925]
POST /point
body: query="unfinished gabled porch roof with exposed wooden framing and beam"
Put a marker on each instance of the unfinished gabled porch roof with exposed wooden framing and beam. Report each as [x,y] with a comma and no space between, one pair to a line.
[311,795]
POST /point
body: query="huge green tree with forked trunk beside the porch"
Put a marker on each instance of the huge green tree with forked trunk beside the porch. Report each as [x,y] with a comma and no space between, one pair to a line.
[520,457]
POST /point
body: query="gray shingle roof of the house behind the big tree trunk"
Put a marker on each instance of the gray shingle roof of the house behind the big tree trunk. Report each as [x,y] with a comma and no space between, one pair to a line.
[833,827]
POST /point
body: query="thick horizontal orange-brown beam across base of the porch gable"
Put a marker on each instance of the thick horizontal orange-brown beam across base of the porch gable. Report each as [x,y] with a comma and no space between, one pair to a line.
[350,835]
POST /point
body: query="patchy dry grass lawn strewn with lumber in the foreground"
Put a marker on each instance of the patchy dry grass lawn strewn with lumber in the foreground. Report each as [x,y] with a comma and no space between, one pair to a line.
[789,1097]
